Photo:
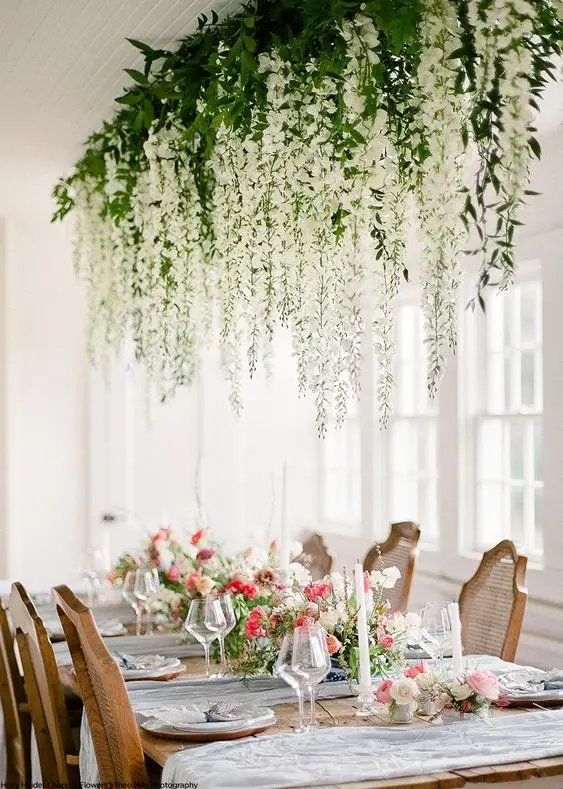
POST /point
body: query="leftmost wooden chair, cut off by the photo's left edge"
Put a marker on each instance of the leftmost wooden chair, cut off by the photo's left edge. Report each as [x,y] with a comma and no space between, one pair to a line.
[17,725]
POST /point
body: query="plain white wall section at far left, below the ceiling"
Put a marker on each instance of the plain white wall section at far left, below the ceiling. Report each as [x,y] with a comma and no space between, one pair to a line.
[43,382]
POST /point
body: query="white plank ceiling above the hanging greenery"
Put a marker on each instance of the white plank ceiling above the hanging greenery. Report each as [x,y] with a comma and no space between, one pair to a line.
[62,61]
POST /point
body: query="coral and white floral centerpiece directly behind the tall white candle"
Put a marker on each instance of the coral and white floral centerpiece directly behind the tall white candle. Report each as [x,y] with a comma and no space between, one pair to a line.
[331,603]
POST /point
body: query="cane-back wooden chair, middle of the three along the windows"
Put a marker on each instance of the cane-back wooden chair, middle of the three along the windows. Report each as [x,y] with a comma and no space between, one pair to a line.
[399,550]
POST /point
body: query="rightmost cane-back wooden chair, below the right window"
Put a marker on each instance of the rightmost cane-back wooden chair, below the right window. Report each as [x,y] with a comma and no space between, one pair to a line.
[492,603]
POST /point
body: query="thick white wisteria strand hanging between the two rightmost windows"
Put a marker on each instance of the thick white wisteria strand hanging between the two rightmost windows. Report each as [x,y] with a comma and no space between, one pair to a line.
[442,116]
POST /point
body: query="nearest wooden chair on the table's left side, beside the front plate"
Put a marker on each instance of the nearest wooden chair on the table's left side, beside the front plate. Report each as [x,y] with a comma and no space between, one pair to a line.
[111,719]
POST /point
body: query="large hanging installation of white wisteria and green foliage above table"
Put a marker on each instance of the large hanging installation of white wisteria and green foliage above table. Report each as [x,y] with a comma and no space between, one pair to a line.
[266,174]
